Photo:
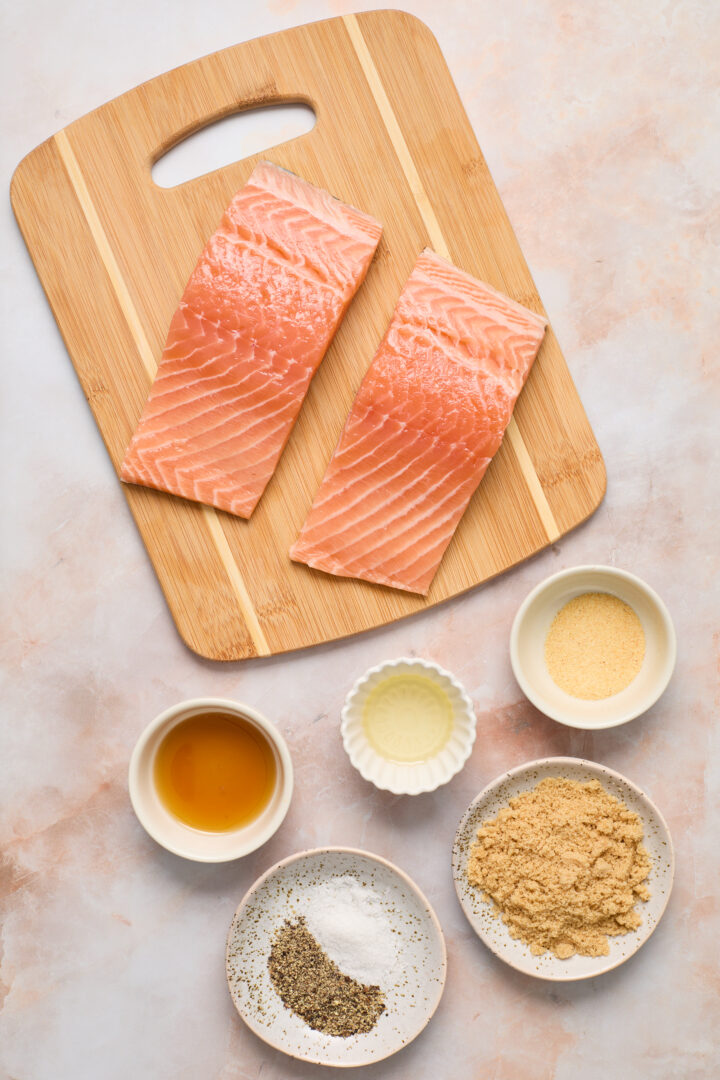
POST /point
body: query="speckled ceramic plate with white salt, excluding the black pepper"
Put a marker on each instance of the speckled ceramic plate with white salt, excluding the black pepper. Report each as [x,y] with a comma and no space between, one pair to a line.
[409,962]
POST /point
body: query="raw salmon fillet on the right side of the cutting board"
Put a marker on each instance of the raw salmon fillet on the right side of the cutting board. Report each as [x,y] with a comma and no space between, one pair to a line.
[428,418]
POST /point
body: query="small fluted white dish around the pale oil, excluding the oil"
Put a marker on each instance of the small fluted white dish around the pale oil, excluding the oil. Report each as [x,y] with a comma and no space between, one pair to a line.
[410,779]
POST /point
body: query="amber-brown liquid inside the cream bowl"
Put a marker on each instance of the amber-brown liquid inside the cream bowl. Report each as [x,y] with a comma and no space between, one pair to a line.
[215,772]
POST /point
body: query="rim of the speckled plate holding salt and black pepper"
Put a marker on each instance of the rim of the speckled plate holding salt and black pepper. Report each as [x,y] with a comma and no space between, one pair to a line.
[339,849]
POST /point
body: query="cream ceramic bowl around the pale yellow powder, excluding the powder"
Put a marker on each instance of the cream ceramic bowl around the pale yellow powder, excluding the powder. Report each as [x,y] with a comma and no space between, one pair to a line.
[531,629]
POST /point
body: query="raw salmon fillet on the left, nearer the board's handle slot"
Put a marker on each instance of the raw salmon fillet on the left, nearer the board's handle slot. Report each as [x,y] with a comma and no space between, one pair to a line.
[255,320]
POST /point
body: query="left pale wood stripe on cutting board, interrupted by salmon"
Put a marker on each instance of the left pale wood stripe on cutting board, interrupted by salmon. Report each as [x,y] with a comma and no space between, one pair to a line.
[145,353]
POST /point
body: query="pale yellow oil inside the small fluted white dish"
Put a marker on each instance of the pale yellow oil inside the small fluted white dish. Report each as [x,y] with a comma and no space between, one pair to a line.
[407,719]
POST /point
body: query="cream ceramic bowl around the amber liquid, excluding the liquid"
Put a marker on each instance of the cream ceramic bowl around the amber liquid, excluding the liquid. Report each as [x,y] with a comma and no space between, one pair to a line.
[206,847]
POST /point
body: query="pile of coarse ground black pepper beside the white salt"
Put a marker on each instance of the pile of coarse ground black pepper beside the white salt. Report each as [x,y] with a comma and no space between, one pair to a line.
[314,988]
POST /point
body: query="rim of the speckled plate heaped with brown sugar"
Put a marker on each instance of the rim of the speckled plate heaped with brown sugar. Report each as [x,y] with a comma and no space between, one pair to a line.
[562,762]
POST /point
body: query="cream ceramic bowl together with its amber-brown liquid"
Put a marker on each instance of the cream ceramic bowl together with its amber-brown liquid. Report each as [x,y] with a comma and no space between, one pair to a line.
[211,780]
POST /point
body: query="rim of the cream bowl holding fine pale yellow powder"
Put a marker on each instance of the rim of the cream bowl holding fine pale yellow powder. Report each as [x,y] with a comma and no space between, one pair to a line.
[546,707]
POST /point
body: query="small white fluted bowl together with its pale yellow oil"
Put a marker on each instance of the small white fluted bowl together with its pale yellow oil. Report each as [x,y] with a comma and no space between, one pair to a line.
[409,726]
